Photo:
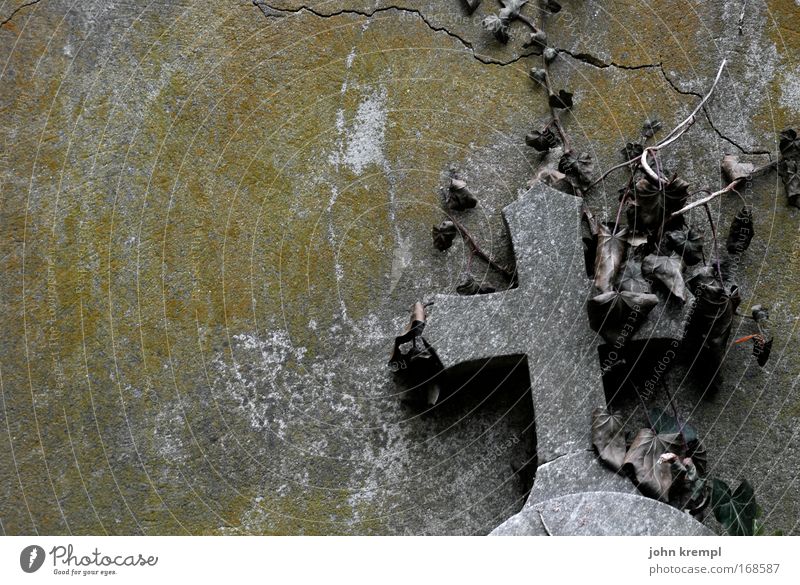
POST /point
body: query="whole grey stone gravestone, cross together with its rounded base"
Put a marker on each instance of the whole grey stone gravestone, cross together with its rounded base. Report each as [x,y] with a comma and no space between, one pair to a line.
[543,322]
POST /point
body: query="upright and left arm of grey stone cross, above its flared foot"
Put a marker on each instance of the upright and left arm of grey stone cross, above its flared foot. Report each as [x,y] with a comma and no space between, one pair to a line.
[542,321]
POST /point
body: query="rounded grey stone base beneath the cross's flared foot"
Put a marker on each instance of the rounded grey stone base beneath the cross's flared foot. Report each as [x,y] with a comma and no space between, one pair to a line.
[604,514]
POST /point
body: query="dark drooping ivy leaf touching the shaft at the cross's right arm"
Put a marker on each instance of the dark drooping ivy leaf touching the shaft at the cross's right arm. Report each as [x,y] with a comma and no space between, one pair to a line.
[616,315]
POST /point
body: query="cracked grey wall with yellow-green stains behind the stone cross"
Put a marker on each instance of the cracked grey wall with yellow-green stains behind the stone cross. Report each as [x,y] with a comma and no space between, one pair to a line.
[214,215]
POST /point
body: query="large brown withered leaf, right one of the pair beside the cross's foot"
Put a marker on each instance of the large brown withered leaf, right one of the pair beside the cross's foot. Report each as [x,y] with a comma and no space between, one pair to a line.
[653,475]
